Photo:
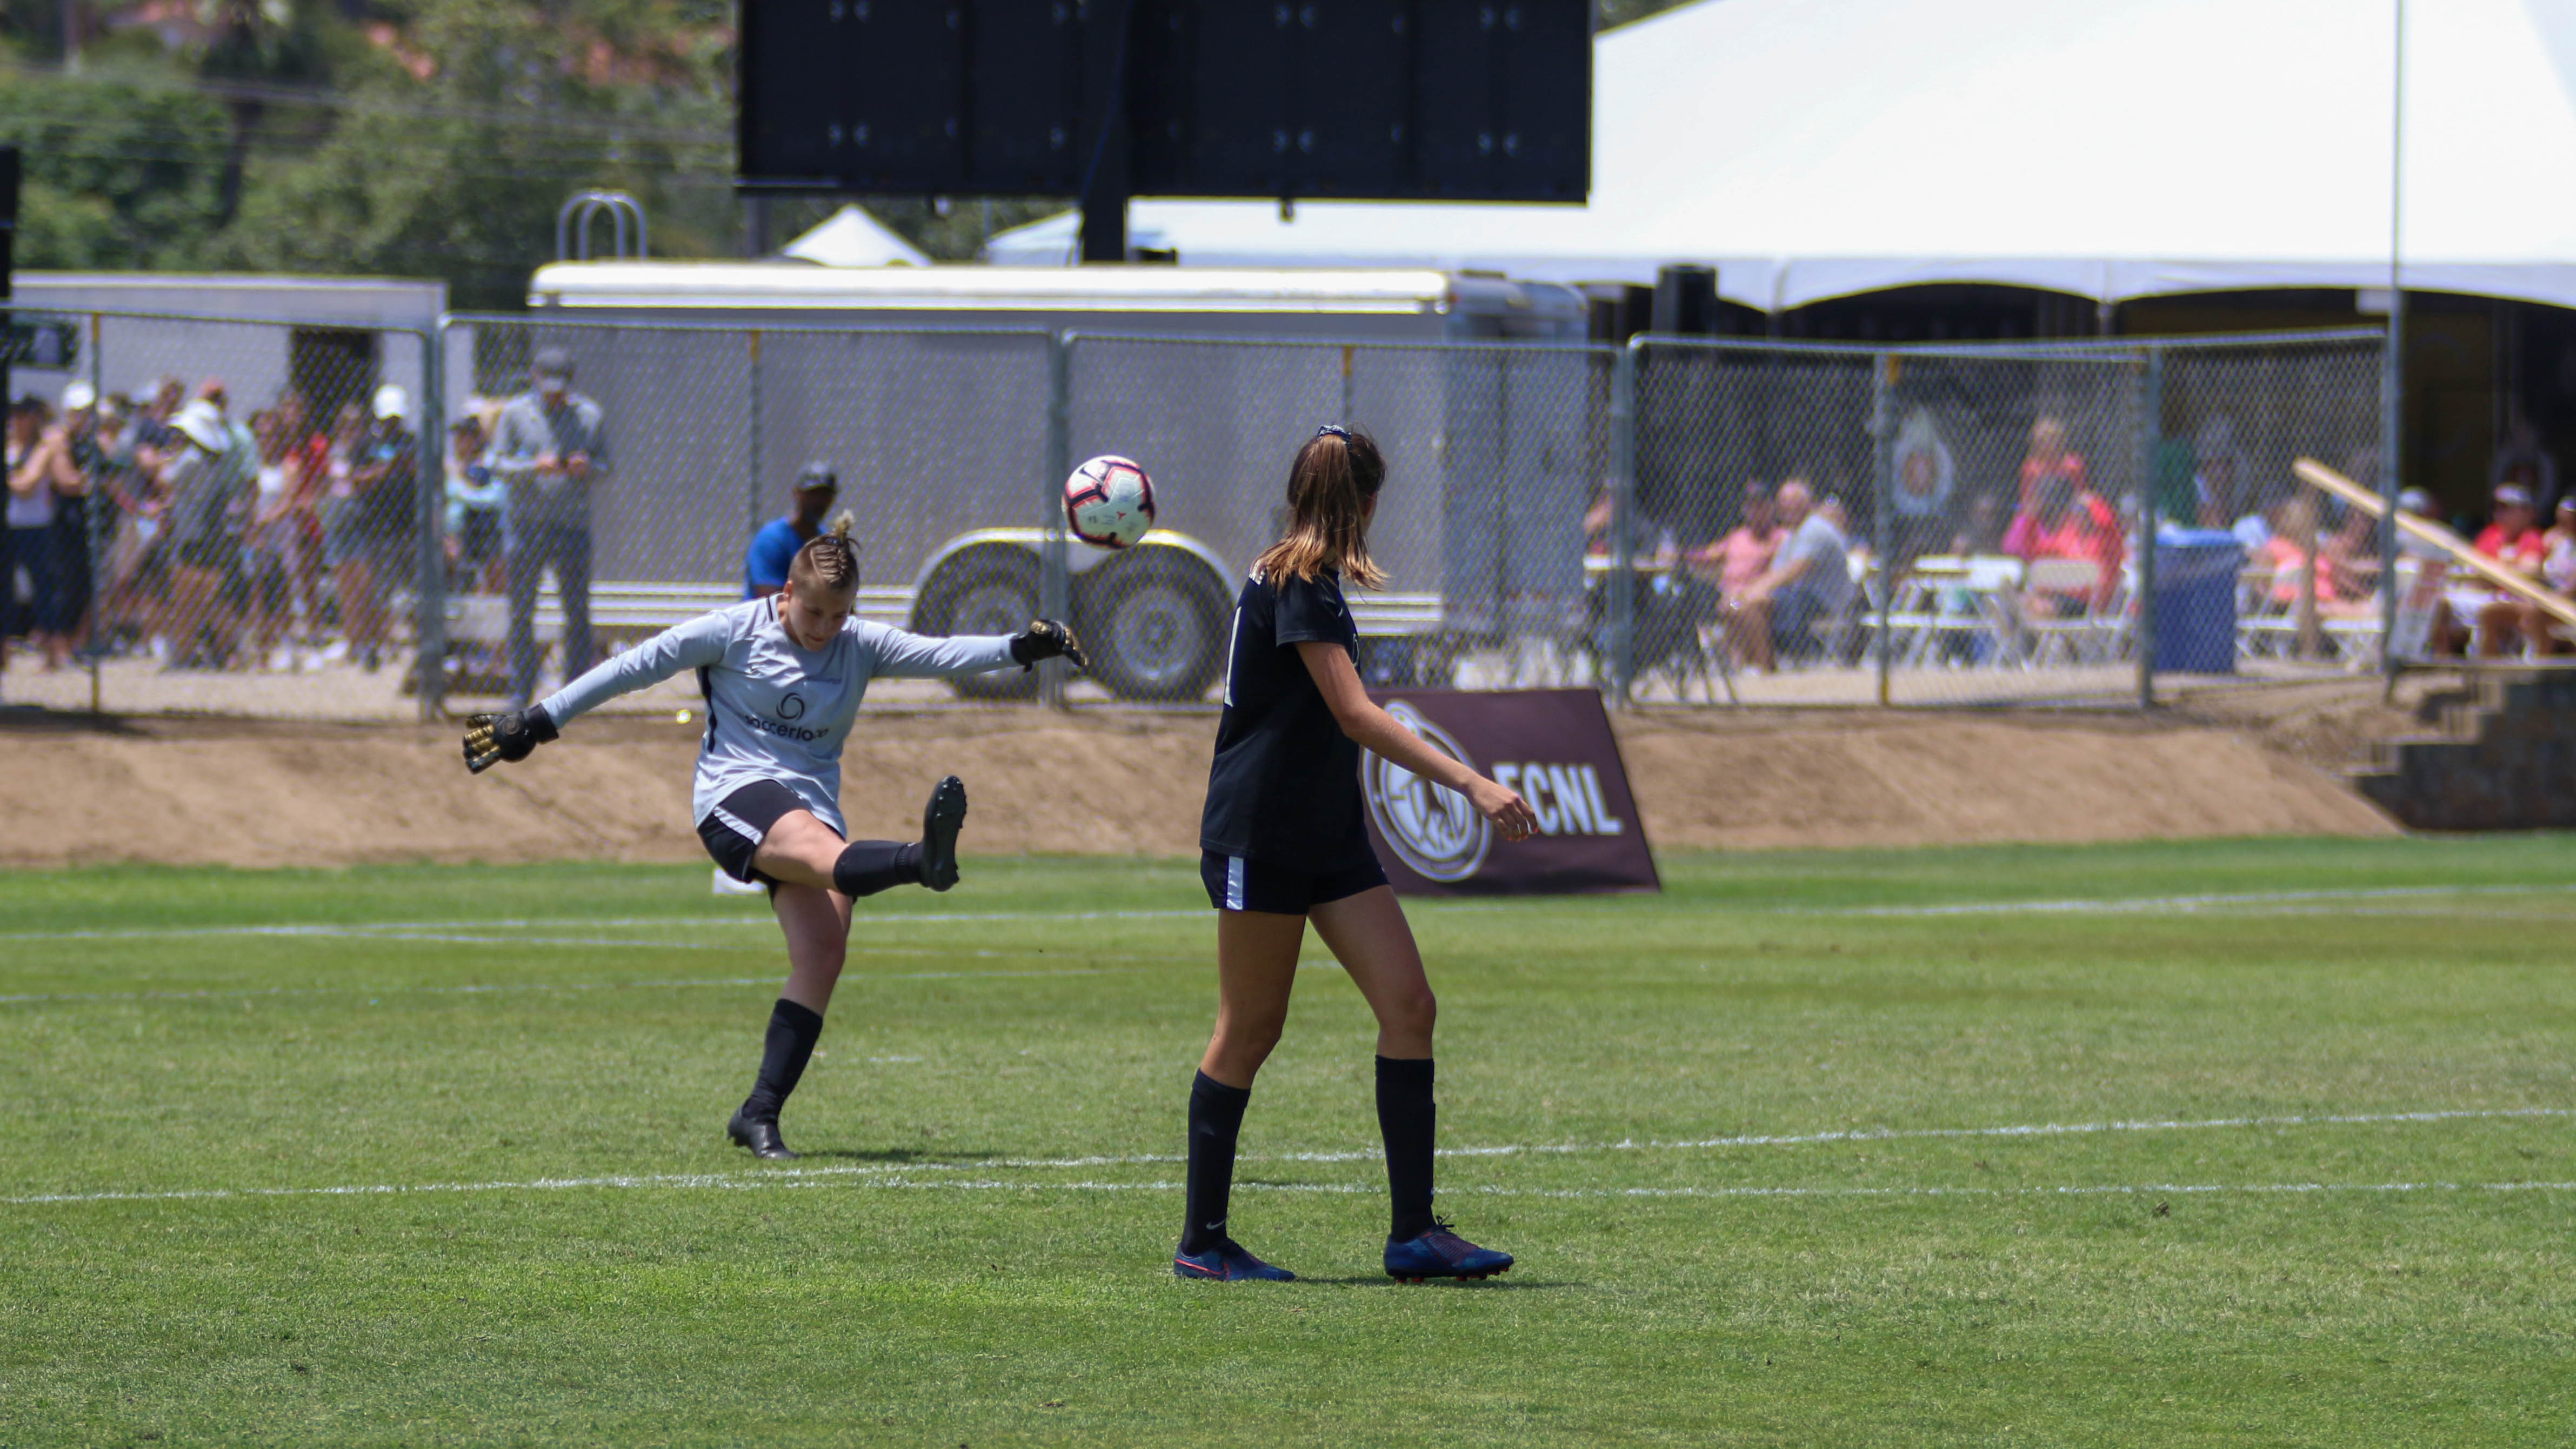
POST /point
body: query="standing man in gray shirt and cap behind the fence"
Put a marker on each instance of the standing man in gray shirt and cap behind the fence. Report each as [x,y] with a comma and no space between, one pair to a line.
[547,452]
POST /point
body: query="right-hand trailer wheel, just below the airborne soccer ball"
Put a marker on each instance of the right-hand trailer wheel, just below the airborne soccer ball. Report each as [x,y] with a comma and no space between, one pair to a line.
[1155,624]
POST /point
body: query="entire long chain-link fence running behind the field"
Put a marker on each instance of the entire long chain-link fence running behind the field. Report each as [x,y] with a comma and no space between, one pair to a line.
[287,521]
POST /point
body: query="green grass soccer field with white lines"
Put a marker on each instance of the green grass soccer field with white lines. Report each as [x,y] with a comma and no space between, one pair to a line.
[429,1157]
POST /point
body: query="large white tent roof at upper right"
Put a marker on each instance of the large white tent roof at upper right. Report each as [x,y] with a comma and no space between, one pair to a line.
[2101,148]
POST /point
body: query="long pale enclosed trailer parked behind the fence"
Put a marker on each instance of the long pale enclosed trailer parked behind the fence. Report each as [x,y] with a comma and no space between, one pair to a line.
[934,390]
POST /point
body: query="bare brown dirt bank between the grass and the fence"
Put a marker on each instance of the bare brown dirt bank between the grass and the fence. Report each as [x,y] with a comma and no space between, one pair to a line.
[1109,784]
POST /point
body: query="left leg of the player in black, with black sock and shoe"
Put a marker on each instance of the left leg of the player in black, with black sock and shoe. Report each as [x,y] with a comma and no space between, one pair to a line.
[1256,972]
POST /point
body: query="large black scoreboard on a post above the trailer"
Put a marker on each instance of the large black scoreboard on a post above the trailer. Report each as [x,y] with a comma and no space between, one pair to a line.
[1112,99]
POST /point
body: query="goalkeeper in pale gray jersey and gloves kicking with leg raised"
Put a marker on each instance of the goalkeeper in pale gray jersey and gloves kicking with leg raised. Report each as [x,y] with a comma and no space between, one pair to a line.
[782,683]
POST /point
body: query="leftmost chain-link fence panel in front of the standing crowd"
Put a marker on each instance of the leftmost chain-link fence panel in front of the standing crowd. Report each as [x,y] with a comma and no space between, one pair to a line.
[220,516]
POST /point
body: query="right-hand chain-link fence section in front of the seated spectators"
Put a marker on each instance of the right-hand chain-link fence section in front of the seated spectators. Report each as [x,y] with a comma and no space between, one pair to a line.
[1967,526]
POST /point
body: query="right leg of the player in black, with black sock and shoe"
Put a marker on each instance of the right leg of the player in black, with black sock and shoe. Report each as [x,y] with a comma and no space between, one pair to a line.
[1377,948]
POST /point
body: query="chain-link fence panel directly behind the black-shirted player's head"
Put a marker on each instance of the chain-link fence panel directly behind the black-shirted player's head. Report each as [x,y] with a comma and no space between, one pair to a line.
[1495,454]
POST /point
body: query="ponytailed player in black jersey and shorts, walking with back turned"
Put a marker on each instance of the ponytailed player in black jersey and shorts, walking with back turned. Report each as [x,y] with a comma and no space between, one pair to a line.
[1282,845]
